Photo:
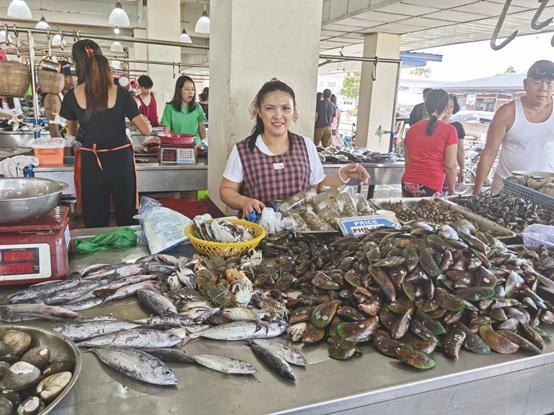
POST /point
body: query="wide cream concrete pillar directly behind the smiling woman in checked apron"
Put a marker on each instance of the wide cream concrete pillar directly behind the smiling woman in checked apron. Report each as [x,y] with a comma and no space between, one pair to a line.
[252,41]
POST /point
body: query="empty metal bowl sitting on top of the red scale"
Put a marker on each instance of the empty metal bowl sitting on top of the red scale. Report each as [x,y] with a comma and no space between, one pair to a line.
[27,198]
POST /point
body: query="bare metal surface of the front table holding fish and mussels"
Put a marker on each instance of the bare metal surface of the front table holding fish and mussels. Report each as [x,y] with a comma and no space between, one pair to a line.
[372,383]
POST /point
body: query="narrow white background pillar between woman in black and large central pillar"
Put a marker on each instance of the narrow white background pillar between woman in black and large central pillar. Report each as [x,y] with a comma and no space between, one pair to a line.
[163,23]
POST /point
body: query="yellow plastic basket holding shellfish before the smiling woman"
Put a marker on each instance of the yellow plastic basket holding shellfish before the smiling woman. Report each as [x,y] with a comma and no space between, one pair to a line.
[226,249]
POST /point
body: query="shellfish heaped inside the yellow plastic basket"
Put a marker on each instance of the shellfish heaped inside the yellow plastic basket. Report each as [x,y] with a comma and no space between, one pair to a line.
[220,230]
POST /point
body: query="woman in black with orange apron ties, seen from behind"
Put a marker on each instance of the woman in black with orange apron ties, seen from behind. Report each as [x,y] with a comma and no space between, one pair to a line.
[104,164]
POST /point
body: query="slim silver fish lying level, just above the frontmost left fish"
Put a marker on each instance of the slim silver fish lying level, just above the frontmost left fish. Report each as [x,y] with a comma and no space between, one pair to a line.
[138,338]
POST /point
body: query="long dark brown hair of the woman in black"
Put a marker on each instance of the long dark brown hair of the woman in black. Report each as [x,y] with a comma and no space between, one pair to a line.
[93,69]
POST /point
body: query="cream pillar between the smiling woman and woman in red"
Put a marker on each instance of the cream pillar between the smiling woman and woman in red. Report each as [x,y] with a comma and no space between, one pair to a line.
[376,103]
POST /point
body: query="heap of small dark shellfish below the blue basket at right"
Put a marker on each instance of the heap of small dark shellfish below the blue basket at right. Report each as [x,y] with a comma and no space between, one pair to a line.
[512,212]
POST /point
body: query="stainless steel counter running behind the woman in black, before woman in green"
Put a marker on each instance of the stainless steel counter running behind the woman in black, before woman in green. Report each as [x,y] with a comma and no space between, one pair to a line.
[151,177]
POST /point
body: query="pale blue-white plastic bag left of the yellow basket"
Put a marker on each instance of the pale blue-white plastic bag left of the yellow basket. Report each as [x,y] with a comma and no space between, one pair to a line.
[163,228]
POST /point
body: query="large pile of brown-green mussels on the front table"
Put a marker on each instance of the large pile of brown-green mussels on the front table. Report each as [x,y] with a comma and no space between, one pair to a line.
[410,291]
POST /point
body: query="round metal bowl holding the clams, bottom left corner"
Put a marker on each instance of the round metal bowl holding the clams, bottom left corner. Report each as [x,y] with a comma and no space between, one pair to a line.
[60,349]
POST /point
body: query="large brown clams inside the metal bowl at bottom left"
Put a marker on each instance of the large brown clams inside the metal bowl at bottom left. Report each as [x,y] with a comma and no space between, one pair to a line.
[29,379]
